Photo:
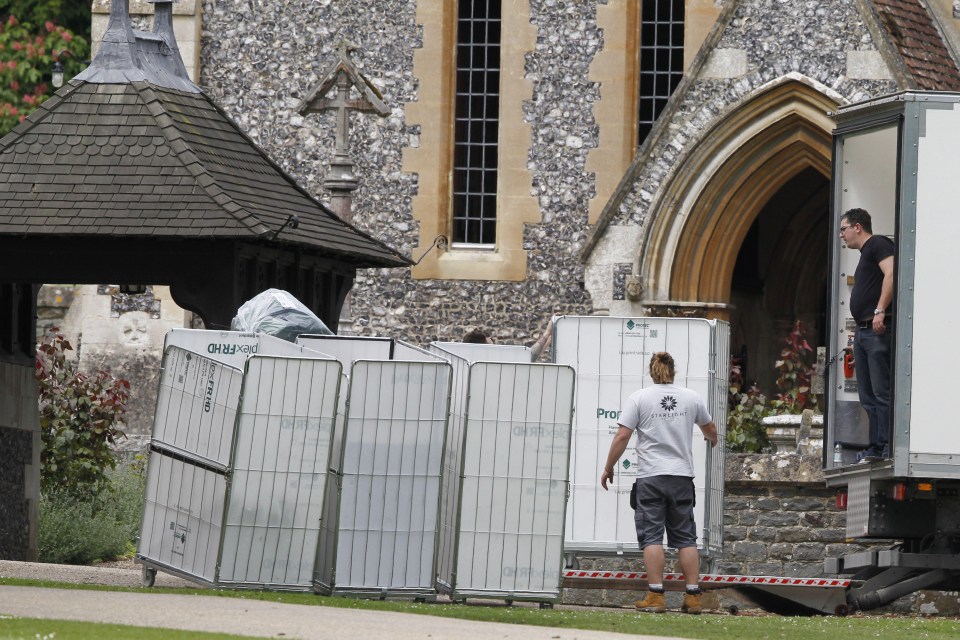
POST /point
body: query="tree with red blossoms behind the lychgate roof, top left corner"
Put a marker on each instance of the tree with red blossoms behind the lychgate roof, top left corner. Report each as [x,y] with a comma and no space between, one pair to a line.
[27,53]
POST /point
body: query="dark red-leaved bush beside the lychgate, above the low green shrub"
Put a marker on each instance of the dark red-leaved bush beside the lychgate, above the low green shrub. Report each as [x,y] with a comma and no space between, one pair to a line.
[80,416]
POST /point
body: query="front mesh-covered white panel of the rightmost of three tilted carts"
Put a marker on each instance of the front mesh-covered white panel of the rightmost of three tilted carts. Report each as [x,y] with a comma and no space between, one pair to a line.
[513,498]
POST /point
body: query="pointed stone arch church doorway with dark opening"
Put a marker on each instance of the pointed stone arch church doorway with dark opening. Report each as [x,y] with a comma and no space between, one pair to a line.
[741,232]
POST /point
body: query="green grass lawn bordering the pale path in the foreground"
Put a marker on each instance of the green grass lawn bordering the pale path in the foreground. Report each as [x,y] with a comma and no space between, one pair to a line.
[705,627]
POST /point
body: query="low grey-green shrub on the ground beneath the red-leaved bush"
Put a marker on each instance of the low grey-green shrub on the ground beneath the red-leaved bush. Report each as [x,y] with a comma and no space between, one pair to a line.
[82,532]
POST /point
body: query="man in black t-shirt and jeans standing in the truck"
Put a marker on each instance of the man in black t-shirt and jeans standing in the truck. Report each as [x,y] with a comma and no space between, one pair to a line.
[870,306]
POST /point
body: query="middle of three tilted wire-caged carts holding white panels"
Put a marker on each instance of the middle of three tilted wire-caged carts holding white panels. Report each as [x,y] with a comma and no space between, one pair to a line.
[379,531]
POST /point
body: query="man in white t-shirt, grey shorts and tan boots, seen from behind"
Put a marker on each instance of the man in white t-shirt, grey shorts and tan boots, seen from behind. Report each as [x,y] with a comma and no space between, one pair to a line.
[663,417]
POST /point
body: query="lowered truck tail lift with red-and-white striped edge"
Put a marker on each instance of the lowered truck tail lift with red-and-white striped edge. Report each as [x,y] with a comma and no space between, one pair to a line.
[781,595]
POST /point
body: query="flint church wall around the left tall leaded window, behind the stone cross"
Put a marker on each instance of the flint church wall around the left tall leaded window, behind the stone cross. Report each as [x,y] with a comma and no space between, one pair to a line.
[258,61]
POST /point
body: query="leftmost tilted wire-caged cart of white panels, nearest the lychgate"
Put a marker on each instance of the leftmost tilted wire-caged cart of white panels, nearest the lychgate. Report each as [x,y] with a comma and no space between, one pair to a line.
[238,459]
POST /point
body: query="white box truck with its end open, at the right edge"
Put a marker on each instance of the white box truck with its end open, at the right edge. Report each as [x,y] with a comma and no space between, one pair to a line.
[896,157]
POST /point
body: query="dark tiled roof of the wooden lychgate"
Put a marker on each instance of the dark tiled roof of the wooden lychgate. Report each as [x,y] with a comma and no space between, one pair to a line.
[146,160]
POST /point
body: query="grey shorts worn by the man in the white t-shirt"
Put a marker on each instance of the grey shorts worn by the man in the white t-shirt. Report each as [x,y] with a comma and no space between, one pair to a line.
[666,502]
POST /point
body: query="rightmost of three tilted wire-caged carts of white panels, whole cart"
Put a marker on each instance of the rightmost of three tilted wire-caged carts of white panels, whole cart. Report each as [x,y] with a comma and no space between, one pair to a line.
[506,471]
